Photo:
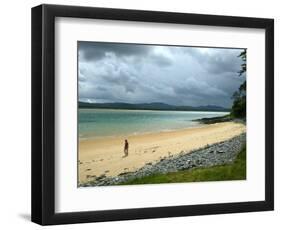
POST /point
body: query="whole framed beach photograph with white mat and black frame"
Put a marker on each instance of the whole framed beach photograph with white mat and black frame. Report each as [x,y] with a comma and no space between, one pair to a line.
[142,114]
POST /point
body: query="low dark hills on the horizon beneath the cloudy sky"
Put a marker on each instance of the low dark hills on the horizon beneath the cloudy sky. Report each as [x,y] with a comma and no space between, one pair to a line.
[150,106]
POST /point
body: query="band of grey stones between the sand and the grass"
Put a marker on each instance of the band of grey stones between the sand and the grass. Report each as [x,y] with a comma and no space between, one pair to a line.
[211,155]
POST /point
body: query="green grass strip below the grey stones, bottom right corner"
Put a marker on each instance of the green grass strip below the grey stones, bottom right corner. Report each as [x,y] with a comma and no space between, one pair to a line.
[234,171]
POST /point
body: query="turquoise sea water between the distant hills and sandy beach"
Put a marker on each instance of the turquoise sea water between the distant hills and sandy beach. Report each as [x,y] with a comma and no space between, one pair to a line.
[96,123]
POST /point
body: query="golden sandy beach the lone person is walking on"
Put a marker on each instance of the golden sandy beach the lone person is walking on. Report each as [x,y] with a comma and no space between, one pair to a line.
[105,155]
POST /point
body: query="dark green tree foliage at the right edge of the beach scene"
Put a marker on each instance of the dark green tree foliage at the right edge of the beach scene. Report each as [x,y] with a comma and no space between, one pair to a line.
[238,109]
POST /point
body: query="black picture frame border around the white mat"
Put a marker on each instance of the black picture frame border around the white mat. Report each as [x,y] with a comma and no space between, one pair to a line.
[43,114]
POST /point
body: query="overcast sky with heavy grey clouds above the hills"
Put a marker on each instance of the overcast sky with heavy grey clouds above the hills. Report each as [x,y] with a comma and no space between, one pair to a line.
[115,72]
